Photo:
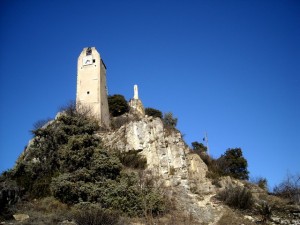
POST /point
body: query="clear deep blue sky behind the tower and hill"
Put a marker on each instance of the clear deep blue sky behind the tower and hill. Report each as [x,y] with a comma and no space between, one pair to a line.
[230,68]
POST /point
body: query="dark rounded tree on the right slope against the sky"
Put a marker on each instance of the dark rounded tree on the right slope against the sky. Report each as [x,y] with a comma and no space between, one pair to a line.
[233,164]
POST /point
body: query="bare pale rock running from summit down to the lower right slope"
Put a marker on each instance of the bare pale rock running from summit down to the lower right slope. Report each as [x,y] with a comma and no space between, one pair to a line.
[169,159]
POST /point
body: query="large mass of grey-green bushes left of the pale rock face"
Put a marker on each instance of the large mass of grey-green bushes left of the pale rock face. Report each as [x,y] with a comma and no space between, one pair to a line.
[67,160]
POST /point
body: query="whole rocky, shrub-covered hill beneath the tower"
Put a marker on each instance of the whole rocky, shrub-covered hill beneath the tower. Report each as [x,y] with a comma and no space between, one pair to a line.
[138,172]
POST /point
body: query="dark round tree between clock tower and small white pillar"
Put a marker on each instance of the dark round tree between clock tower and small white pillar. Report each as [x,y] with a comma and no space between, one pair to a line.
[117,105]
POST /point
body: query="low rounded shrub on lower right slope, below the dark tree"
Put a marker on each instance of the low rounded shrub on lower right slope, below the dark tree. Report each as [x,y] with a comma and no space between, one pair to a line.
[236,197]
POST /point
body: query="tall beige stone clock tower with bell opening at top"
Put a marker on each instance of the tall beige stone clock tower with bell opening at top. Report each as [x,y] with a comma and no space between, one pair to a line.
[91,85]
